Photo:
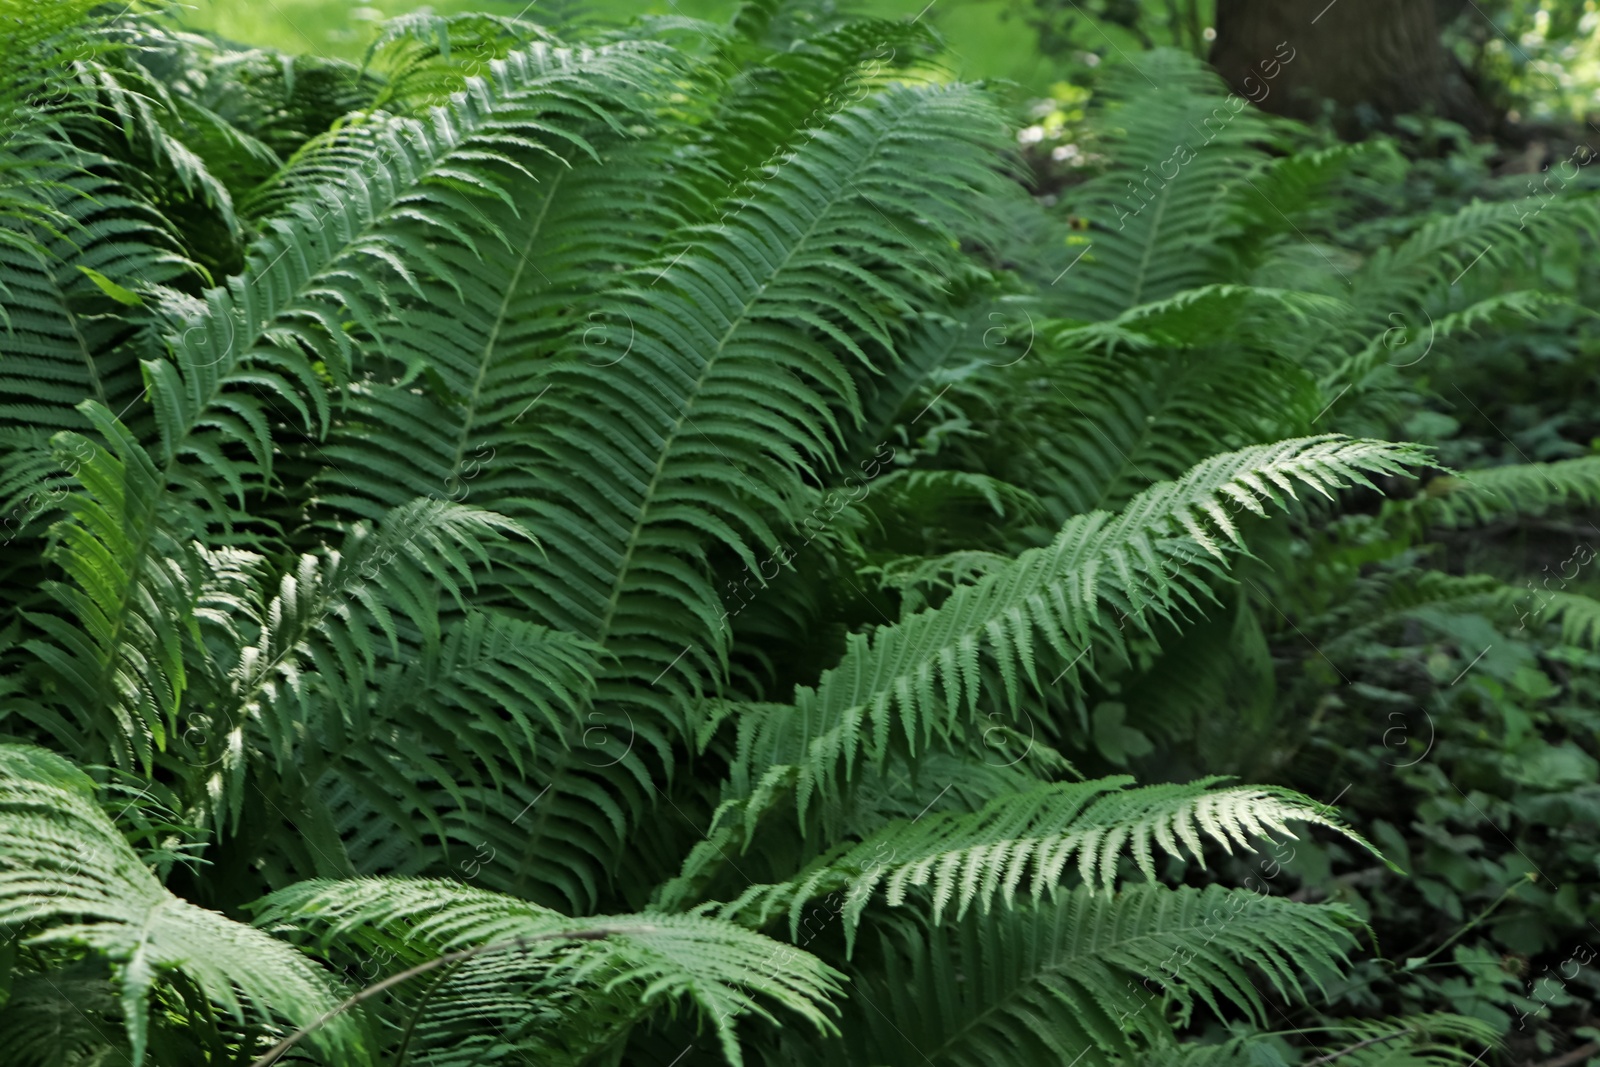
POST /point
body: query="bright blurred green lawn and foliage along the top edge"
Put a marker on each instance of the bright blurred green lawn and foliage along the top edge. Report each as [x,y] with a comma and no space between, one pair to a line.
[1532,60]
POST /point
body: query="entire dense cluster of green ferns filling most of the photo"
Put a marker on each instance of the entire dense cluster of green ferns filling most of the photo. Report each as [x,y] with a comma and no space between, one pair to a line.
[538,549]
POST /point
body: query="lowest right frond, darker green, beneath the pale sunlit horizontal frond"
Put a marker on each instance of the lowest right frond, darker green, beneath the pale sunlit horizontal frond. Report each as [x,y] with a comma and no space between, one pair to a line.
[1082,978]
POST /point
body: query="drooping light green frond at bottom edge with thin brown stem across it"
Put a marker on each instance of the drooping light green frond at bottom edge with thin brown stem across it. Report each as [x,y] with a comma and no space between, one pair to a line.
[529,961]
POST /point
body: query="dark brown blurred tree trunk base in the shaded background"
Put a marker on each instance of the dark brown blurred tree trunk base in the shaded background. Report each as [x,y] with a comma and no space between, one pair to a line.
[1372,58]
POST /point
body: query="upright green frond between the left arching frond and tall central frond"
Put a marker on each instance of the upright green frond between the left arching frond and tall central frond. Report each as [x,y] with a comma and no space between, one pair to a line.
[484,335]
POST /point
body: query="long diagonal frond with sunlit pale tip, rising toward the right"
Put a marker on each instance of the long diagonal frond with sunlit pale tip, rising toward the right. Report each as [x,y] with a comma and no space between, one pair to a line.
[1151,562]
